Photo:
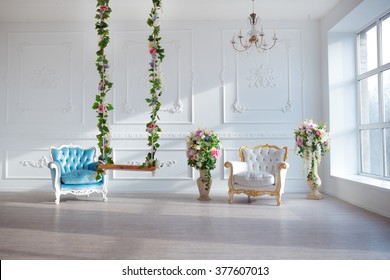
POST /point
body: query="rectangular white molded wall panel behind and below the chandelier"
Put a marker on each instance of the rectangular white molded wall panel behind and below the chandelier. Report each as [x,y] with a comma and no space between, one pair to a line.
[261,74]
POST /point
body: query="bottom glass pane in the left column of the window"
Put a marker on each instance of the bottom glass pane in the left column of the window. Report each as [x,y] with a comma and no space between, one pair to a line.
[371,151]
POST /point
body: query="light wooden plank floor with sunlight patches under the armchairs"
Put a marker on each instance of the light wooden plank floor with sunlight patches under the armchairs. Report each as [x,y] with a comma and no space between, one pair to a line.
[178,226]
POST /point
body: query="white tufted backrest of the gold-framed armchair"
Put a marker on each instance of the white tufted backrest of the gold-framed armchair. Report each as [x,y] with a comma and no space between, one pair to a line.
[263,158]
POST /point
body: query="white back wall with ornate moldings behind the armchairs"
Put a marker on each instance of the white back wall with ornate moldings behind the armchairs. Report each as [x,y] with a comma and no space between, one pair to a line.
[48,83]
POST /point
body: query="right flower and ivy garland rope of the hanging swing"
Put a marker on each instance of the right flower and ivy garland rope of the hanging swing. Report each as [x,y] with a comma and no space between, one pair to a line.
[157,56]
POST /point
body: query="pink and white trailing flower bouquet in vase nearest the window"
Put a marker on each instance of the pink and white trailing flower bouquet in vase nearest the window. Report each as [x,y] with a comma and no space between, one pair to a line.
[311,143]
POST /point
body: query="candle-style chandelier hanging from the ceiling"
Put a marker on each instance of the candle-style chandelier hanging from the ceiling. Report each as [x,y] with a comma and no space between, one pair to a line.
[253,37]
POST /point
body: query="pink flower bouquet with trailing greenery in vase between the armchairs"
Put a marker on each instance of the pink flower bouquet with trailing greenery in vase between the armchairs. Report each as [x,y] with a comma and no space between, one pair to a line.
[203,150]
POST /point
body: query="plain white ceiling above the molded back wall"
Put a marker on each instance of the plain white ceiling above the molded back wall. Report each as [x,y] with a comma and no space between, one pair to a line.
[84,10]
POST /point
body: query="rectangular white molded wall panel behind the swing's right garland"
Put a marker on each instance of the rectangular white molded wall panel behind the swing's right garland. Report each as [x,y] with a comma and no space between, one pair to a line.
[176,73]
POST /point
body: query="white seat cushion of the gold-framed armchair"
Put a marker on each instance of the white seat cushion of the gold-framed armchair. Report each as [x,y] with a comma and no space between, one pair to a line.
[254,178]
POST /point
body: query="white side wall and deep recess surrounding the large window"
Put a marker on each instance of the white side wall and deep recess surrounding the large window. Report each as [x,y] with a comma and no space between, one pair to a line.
[338,33]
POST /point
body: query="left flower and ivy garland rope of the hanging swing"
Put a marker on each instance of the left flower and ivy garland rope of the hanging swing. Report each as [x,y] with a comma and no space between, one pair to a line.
[102,108]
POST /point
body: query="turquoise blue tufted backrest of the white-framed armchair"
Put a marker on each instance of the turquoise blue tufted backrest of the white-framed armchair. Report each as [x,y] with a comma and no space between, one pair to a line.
[72,158]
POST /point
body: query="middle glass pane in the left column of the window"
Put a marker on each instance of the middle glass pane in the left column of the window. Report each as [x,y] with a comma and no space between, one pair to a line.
[369,100]
